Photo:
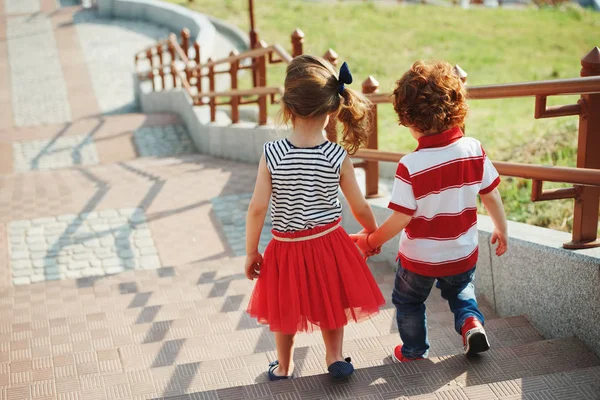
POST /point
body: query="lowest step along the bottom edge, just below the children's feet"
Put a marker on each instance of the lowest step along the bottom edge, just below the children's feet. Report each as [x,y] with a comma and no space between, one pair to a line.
[419,381]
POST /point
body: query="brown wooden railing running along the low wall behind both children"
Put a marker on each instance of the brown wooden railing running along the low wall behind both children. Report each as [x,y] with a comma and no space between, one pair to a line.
[171,61]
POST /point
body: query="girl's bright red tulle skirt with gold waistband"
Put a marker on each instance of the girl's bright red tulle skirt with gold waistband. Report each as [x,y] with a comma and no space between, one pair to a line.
[320,283]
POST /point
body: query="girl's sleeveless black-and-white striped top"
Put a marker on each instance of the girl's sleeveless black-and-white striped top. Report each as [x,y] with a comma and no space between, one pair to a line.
[305,183]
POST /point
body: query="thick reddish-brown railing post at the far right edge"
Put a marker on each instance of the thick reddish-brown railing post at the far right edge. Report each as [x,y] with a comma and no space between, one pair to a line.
[585,215]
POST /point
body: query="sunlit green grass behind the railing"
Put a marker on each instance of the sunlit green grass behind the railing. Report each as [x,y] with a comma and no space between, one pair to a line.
[492,45]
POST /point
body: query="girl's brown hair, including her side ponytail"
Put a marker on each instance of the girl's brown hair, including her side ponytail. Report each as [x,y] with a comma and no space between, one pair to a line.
[312,89]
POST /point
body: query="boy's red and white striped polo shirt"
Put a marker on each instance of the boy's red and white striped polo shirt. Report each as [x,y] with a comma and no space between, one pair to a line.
[437,185]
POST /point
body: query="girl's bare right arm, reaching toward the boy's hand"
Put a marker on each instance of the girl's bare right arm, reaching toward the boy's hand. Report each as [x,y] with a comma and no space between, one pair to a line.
[358,204]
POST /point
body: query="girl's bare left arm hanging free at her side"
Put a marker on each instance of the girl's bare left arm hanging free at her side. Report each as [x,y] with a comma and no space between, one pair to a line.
[257,210]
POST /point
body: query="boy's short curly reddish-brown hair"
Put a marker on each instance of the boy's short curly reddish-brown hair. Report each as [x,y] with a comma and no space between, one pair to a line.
[430,98]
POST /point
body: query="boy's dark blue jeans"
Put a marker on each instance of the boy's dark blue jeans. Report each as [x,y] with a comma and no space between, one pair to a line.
[410,292]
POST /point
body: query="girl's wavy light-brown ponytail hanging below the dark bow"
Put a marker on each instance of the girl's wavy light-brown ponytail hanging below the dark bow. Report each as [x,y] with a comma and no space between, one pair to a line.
[355,118]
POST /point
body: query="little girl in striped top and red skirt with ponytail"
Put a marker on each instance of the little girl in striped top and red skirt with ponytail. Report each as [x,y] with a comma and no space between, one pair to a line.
[312,275]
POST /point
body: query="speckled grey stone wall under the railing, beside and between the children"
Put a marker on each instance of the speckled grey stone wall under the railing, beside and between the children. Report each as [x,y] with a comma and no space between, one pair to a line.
[558,290]
